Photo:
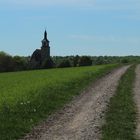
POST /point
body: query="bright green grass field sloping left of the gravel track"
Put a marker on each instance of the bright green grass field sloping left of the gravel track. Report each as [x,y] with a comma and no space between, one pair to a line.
[26,98]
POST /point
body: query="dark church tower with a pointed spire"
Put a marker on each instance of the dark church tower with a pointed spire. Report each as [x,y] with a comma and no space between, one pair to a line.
[45,48]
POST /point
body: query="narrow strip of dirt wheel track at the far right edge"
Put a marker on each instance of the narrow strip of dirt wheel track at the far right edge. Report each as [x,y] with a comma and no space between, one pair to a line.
[137,98]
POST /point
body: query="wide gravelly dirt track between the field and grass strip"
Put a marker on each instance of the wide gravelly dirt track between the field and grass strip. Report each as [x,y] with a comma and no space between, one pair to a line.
[83,118]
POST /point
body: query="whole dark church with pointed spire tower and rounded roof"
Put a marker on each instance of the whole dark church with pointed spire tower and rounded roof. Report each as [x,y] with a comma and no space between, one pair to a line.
[40,56]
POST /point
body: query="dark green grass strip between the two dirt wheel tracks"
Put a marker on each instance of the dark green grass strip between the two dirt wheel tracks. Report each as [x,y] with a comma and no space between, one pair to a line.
[121,115]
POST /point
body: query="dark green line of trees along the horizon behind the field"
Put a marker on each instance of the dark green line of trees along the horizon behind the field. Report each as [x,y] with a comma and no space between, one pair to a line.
[10,63]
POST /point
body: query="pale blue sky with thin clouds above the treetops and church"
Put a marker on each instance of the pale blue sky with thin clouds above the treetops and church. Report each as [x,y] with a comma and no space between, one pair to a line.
[74,27]
